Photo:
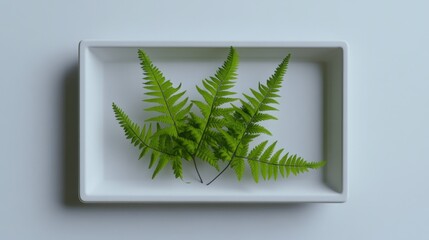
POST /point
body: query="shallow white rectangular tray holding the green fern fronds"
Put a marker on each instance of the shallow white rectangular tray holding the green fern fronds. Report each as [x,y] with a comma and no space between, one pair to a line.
[312,120]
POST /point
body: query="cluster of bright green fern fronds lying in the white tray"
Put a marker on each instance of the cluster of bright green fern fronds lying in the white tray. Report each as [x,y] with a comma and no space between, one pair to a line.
[220,132]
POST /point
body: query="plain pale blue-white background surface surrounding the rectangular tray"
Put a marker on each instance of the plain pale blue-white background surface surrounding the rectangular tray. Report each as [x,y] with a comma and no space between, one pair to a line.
[388,117]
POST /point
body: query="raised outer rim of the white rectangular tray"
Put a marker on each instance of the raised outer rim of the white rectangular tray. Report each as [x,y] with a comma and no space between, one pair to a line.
[340,197]
